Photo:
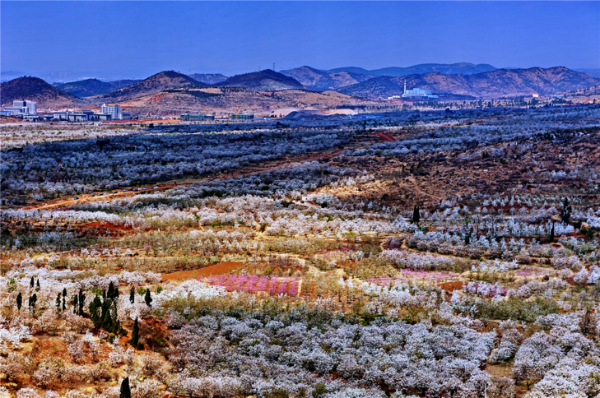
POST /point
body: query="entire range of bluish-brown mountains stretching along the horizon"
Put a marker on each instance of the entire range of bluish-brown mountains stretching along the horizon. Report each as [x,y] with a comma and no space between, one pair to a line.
[168,87]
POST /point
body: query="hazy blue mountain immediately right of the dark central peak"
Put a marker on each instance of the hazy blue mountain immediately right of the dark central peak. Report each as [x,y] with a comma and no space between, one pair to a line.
[321,80]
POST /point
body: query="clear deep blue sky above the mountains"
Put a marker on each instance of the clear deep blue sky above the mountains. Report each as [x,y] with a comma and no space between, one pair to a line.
[63,40]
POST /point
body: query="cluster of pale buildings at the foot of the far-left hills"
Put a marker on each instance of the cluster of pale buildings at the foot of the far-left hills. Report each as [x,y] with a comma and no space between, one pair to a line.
[27,110]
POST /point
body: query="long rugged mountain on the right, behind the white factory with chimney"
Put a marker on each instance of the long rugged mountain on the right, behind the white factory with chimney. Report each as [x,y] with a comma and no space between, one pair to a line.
[494,84]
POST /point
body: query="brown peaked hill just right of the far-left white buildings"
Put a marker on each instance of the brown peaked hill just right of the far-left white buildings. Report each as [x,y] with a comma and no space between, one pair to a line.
[154,84]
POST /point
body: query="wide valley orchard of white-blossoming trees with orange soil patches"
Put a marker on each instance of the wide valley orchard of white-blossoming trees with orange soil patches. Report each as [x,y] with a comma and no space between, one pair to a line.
[306,260]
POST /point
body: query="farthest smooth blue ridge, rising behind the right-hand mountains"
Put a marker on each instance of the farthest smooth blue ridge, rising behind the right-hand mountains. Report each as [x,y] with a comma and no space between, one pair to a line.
[461,68]
